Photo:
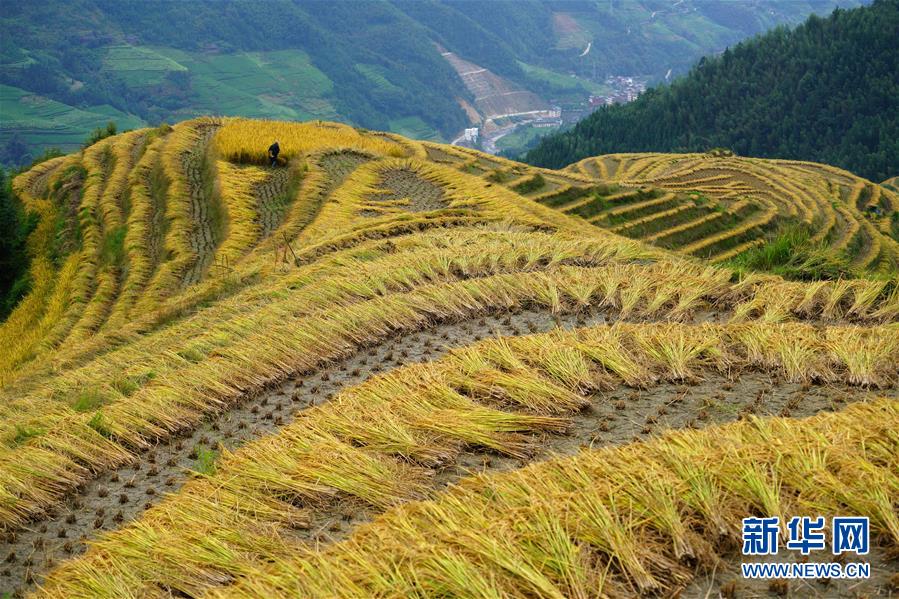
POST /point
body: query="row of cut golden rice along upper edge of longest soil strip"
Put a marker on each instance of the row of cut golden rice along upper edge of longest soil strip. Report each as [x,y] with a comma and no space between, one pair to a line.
[250,354]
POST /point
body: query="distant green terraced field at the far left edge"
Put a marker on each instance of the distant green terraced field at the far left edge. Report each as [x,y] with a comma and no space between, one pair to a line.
[43,123]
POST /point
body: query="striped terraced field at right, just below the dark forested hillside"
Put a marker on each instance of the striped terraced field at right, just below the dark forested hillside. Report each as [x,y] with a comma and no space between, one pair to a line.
[744,199]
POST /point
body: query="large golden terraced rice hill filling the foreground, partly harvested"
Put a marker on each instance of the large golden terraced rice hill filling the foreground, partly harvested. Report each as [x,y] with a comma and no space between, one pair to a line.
[393,368]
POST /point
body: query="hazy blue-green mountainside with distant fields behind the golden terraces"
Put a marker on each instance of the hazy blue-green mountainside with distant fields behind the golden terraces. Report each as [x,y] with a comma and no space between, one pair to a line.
[67,67]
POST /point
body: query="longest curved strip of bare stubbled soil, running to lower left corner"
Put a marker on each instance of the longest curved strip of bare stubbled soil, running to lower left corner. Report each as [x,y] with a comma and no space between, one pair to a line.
[122,494]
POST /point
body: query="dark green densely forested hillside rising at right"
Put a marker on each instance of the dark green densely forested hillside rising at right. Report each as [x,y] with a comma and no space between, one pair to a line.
[827,91]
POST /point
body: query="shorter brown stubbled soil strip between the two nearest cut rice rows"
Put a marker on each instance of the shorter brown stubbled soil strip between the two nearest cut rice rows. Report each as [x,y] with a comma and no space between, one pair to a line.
[621,416]
